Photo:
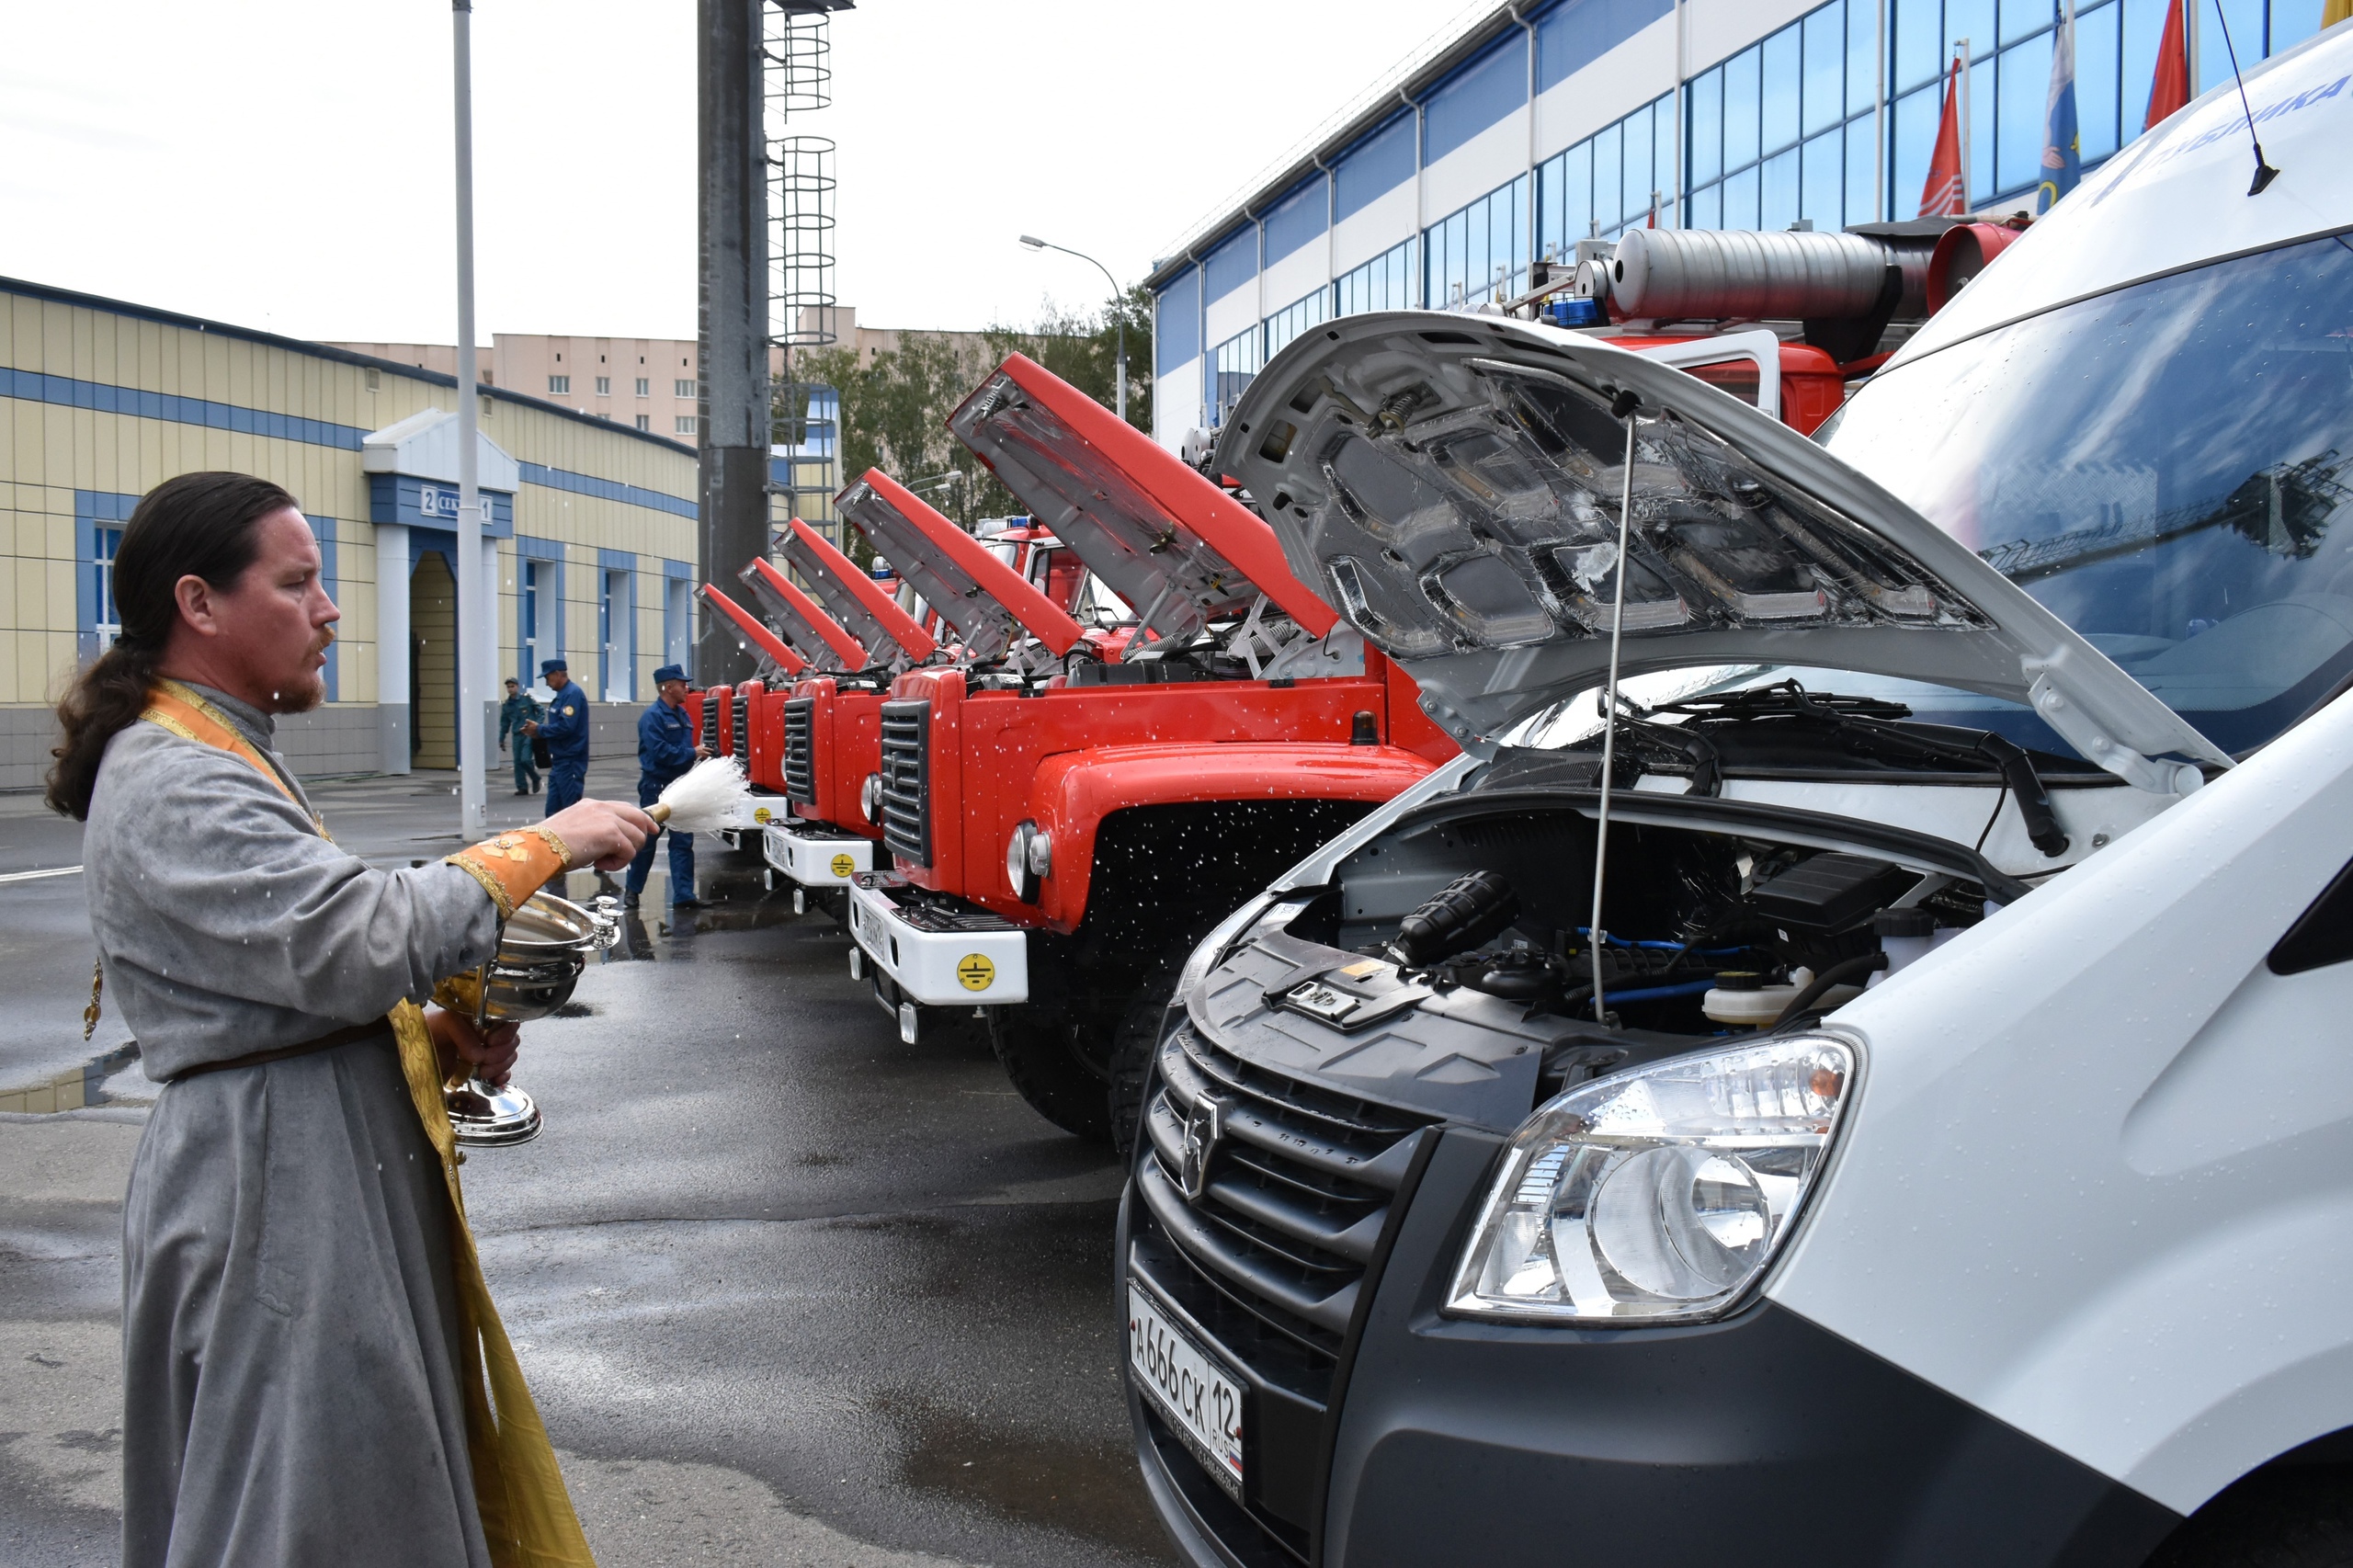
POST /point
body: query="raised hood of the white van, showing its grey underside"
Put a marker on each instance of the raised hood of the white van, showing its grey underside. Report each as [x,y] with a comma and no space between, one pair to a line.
[1453,484]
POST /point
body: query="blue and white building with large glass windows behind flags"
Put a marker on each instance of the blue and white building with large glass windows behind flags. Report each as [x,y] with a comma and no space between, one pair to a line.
[1542,126]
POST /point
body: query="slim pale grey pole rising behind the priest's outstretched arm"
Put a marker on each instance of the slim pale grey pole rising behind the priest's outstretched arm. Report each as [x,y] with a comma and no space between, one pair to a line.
[472,580]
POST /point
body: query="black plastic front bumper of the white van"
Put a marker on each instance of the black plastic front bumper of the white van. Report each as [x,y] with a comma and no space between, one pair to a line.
[1761,1442]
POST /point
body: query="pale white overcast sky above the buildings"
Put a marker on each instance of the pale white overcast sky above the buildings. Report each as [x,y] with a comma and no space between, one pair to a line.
[286,164]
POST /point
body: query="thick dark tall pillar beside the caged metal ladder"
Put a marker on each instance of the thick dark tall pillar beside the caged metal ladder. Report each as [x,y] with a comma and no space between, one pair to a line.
[733,321]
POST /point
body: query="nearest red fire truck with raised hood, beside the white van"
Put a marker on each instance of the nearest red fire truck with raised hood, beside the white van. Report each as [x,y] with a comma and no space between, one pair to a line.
[1060,844]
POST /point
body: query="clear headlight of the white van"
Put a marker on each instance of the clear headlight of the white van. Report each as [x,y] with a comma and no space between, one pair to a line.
[1655,1195]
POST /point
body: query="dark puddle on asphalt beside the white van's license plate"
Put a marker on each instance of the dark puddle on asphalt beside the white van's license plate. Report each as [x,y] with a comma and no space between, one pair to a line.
[1091,1491]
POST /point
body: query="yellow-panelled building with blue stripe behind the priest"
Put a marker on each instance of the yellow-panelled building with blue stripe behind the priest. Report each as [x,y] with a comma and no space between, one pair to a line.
[592,524]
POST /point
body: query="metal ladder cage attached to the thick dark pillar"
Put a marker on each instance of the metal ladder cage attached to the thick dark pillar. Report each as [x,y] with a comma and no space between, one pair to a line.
[796,53]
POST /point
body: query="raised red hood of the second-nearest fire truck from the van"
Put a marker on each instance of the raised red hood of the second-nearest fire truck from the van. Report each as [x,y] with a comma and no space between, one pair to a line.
[985,599]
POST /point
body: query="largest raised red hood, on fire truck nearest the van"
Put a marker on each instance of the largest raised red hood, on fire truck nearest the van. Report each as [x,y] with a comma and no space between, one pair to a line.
[1166,540]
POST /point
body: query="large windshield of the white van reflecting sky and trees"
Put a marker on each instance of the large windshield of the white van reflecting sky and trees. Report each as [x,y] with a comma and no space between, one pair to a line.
[2166,467]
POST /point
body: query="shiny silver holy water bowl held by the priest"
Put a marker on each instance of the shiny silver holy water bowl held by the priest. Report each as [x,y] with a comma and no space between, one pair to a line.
[540,959]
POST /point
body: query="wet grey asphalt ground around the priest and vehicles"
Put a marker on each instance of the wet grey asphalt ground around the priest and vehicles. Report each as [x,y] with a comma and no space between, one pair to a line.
[787,1289]
